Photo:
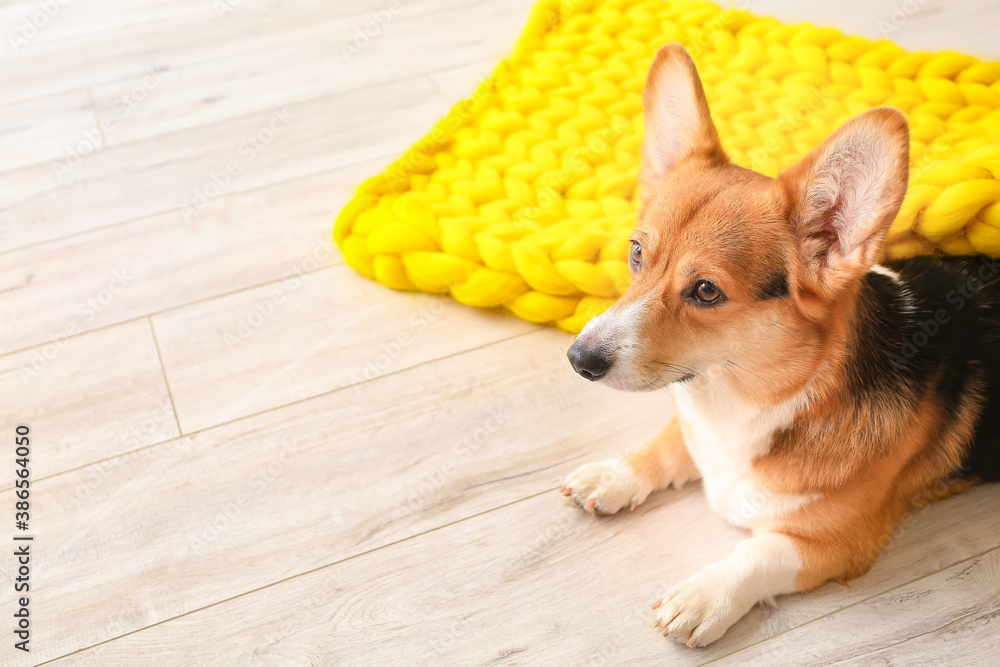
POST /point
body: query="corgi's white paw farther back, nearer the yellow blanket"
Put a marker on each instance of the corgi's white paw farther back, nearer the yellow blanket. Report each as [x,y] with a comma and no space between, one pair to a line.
[605,487]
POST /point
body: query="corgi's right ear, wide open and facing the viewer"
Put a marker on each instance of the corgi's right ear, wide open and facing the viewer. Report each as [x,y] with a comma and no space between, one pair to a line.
[844,196]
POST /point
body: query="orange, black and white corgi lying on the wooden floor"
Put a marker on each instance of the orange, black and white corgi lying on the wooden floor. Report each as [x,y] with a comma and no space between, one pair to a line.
[818,395]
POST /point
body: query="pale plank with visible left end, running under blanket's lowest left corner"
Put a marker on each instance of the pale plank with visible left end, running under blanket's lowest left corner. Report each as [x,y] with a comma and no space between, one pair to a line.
[305,336]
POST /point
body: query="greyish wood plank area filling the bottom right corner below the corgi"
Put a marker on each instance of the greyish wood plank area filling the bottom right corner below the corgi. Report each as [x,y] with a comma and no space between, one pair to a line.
[947,618]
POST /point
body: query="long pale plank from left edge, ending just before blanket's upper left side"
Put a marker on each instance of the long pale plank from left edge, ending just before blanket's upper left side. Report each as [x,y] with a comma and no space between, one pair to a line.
[181,171]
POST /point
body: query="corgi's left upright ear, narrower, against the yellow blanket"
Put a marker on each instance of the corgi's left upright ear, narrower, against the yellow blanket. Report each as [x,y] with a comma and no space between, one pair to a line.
[678,124]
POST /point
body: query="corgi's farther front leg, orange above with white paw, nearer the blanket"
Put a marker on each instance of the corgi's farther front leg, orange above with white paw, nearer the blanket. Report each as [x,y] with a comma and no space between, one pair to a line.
[608,486]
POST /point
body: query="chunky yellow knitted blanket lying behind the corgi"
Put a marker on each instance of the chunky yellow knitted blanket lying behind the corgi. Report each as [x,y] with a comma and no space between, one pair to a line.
[524,195]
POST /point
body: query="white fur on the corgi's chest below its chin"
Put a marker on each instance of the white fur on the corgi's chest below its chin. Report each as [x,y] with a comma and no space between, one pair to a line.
[724,436]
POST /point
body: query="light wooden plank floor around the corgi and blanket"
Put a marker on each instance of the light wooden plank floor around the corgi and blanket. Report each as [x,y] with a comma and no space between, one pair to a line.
[245,453]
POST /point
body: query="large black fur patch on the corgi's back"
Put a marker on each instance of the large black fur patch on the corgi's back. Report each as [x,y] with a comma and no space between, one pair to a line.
[938,332]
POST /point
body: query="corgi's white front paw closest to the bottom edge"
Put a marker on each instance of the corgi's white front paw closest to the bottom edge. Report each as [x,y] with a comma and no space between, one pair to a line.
[701,608]
